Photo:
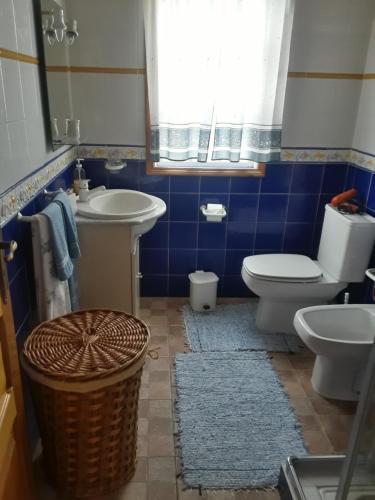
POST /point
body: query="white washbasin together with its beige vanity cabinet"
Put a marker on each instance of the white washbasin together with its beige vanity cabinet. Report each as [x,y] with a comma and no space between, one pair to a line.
[109,228]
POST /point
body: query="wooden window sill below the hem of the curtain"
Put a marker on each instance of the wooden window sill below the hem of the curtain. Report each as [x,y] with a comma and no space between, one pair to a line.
[151,169]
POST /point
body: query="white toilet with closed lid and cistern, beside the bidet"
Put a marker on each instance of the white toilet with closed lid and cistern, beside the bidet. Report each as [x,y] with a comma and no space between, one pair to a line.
[288,282]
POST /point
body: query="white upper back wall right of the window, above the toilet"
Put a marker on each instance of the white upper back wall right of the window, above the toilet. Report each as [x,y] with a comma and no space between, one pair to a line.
[328,36]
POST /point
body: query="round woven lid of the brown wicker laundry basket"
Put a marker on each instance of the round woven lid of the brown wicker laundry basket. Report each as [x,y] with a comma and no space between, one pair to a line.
[86,344]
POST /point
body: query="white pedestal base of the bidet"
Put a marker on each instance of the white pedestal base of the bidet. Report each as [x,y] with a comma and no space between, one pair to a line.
[338,378]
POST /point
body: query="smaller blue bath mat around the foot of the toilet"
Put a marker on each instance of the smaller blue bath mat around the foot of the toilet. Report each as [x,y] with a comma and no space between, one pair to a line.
[232,328]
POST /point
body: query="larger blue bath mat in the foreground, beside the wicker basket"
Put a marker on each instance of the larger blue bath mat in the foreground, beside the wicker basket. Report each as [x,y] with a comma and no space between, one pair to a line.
[235,423]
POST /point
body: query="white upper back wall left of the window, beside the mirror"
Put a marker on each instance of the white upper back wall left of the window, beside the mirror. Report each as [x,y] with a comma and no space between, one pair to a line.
[110,106]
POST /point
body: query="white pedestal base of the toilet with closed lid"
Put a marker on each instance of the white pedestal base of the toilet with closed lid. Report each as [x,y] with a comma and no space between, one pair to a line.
[276,316]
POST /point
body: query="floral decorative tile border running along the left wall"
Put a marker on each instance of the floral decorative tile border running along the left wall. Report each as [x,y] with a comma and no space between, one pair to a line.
[13,200]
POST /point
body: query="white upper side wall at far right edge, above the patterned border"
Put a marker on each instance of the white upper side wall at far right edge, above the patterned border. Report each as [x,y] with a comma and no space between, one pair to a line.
[364,135]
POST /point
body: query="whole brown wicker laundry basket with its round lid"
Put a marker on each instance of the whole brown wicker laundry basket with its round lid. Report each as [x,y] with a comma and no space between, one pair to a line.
[85,370]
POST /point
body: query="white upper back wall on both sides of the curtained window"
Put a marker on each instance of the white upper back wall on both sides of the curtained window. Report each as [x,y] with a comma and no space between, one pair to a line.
[328,36]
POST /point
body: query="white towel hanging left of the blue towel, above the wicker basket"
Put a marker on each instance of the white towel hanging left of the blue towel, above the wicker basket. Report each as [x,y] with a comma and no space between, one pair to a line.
[53,297]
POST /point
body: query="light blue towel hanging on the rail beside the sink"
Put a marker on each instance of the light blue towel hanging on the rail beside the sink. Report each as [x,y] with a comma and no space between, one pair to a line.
[63,263]
